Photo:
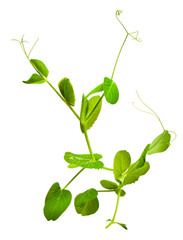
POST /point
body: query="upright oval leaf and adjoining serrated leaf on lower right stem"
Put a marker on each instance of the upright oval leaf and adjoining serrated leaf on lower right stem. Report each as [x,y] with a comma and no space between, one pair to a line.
[127,173]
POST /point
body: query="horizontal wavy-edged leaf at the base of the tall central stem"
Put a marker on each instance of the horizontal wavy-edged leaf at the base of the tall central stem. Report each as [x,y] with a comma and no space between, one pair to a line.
[84,160]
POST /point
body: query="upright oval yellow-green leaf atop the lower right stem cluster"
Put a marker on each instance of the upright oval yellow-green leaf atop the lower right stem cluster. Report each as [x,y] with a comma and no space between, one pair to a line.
[122,161]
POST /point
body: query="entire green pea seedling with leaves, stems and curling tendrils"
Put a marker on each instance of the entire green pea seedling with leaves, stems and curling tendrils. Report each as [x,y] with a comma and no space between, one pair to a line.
[124,171]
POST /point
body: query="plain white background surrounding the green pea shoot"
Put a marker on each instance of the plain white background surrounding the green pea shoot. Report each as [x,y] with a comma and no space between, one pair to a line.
[80,40]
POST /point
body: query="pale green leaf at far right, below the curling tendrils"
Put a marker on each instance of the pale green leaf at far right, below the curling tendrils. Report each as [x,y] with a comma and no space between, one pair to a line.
[160,143]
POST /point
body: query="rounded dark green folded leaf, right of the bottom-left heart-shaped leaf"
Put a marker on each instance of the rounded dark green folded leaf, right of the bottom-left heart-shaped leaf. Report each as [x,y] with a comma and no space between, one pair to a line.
[87,203]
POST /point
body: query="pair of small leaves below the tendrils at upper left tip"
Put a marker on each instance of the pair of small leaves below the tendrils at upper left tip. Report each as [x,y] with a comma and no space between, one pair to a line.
[42,70]
